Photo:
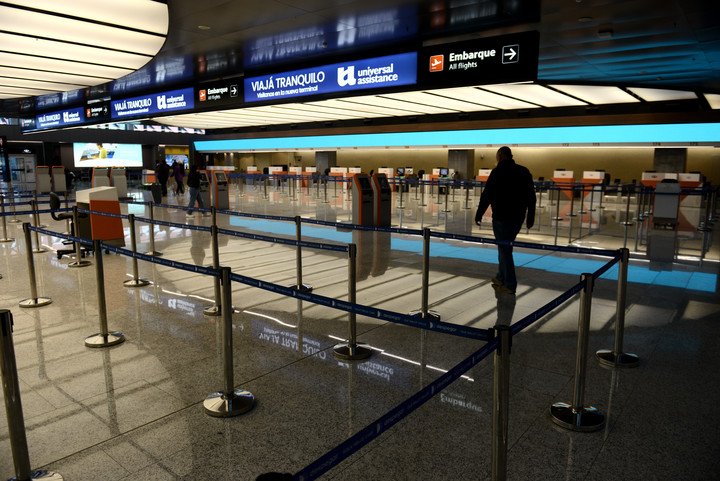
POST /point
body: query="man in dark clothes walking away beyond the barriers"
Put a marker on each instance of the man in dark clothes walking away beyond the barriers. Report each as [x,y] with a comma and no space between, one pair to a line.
[510,192]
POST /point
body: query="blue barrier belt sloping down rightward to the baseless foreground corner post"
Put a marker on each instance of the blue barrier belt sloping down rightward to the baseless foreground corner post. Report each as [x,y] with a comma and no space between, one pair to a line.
[374,312]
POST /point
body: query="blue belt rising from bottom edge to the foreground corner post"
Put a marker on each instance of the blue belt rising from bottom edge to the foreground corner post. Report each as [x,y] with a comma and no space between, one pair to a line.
[354,443]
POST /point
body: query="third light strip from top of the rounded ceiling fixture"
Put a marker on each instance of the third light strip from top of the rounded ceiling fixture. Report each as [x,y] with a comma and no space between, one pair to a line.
[77,53]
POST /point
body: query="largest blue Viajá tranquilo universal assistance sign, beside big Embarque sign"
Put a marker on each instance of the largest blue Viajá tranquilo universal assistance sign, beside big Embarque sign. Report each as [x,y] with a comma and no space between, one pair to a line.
[373,73]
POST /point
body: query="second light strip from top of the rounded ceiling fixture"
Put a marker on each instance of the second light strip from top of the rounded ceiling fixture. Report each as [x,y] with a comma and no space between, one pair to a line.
[50,26]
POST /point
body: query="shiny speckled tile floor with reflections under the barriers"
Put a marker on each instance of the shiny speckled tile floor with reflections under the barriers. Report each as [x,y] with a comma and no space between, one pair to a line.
[134,411]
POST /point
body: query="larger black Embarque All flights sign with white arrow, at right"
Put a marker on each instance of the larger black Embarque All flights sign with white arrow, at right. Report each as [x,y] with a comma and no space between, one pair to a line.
[506,58]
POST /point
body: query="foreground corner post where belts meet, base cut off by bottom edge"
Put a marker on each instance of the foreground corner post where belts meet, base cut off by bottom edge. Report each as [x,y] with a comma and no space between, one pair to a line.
[501,397]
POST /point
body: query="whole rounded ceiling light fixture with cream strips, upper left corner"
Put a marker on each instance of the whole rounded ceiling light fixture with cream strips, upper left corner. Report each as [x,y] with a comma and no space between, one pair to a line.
[48,46]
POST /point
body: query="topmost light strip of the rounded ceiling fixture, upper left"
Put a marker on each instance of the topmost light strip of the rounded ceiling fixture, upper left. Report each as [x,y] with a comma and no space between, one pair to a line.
[149,16]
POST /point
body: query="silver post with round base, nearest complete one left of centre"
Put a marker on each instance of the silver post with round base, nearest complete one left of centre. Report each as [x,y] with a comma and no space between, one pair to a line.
[229,402]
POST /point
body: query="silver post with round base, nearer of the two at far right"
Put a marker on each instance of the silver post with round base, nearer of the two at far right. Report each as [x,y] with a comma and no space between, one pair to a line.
[577,416]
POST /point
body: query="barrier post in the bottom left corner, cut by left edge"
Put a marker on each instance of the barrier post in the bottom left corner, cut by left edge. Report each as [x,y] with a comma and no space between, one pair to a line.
[13,406]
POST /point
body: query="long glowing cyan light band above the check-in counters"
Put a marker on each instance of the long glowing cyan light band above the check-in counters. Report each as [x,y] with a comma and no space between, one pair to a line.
[609,134]
